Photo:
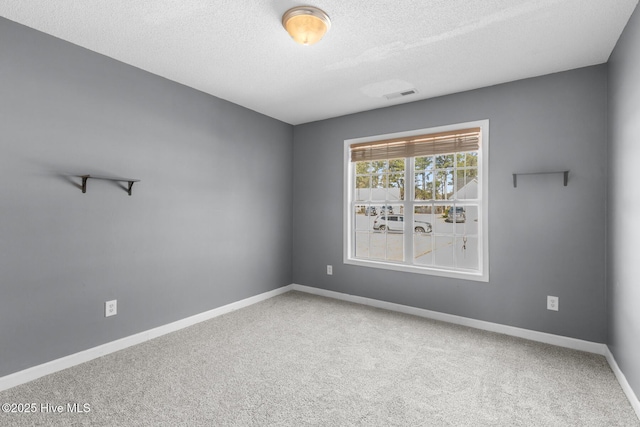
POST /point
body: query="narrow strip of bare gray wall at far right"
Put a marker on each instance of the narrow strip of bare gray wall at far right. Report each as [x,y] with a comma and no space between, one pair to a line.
[623,203]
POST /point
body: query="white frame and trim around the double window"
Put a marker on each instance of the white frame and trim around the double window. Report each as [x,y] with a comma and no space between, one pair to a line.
[483,236]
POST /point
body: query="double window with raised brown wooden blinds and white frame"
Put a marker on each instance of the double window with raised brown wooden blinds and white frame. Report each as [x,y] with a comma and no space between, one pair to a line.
[417,201]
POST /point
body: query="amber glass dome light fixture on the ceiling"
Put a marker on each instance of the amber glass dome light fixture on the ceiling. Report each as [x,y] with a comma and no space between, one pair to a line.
[306,24]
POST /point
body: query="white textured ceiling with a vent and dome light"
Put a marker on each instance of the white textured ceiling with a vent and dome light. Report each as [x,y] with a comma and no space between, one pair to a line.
[237,49]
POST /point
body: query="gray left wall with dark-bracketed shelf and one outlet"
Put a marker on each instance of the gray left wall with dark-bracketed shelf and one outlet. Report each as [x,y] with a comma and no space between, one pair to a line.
[209,223]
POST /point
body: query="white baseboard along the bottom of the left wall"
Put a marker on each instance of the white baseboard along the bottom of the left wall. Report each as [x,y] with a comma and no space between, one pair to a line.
[56,365]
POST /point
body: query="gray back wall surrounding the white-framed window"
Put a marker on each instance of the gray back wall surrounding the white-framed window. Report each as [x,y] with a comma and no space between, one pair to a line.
[545,239]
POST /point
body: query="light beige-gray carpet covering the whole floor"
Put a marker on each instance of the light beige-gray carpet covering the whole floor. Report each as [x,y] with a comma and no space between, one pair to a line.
[304,360]
